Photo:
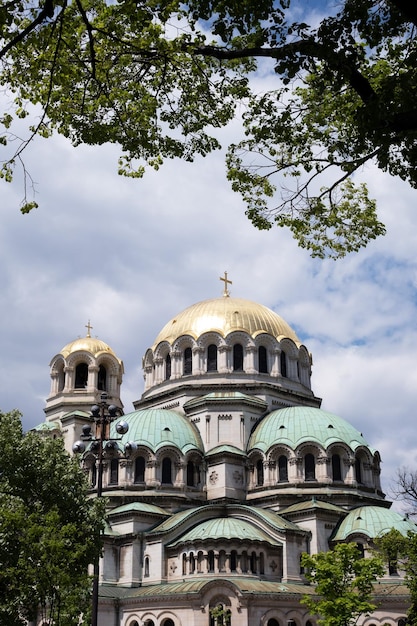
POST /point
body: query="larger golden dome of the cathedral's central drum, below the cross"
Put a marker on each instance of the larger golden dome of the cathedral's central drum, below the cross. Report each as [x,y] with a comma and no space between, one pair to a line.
[226,315]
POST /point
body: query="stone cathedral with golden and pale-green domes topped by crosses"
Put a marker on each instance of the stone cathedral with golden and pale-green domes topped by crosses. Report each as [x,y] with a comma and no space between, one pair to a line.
[229,471]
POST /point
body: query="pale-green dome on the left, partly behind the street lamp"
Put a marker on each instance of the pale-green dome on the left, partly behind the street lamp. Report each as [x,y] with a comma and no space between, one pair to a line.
[156,428]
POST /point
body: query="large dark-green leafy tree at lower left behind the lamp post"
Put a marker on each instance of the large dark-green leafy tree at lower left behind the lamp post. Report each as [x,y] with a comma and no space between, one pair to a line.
[49,530]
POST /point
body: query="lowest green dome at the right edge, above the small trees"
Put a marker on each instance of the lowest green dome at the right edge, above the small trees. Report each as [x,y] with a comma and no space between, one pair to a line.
[372,521]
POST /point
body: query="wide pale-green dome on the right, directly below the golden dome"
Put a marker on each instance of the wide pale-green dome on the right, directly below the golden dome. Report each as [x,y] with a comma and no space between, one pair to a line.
[293,426]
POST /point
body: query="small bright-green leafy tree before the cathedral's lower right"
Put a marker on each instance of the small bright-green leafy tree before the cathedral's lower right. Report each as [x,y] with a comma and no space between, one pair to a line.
[343,583]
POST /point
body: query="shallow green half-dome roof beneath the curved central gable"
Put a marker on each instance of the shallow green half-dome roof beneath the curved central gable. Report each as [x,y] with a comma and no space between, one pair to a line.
[225,528]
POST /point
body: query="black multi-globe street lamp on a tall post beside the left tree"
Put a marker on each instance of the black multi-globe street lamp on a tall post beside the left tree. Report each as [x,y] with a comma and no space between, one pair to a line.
[103,415]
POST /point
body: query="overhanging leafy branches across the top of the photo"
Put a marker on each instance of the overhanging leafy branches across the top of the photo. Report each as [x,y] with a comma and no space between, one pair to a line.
[158,77]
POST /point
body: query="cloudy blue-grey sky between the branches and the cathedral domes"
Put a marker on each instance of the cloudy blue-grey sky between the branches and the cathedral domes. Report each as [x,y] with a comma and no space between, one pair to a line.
[130,254]
